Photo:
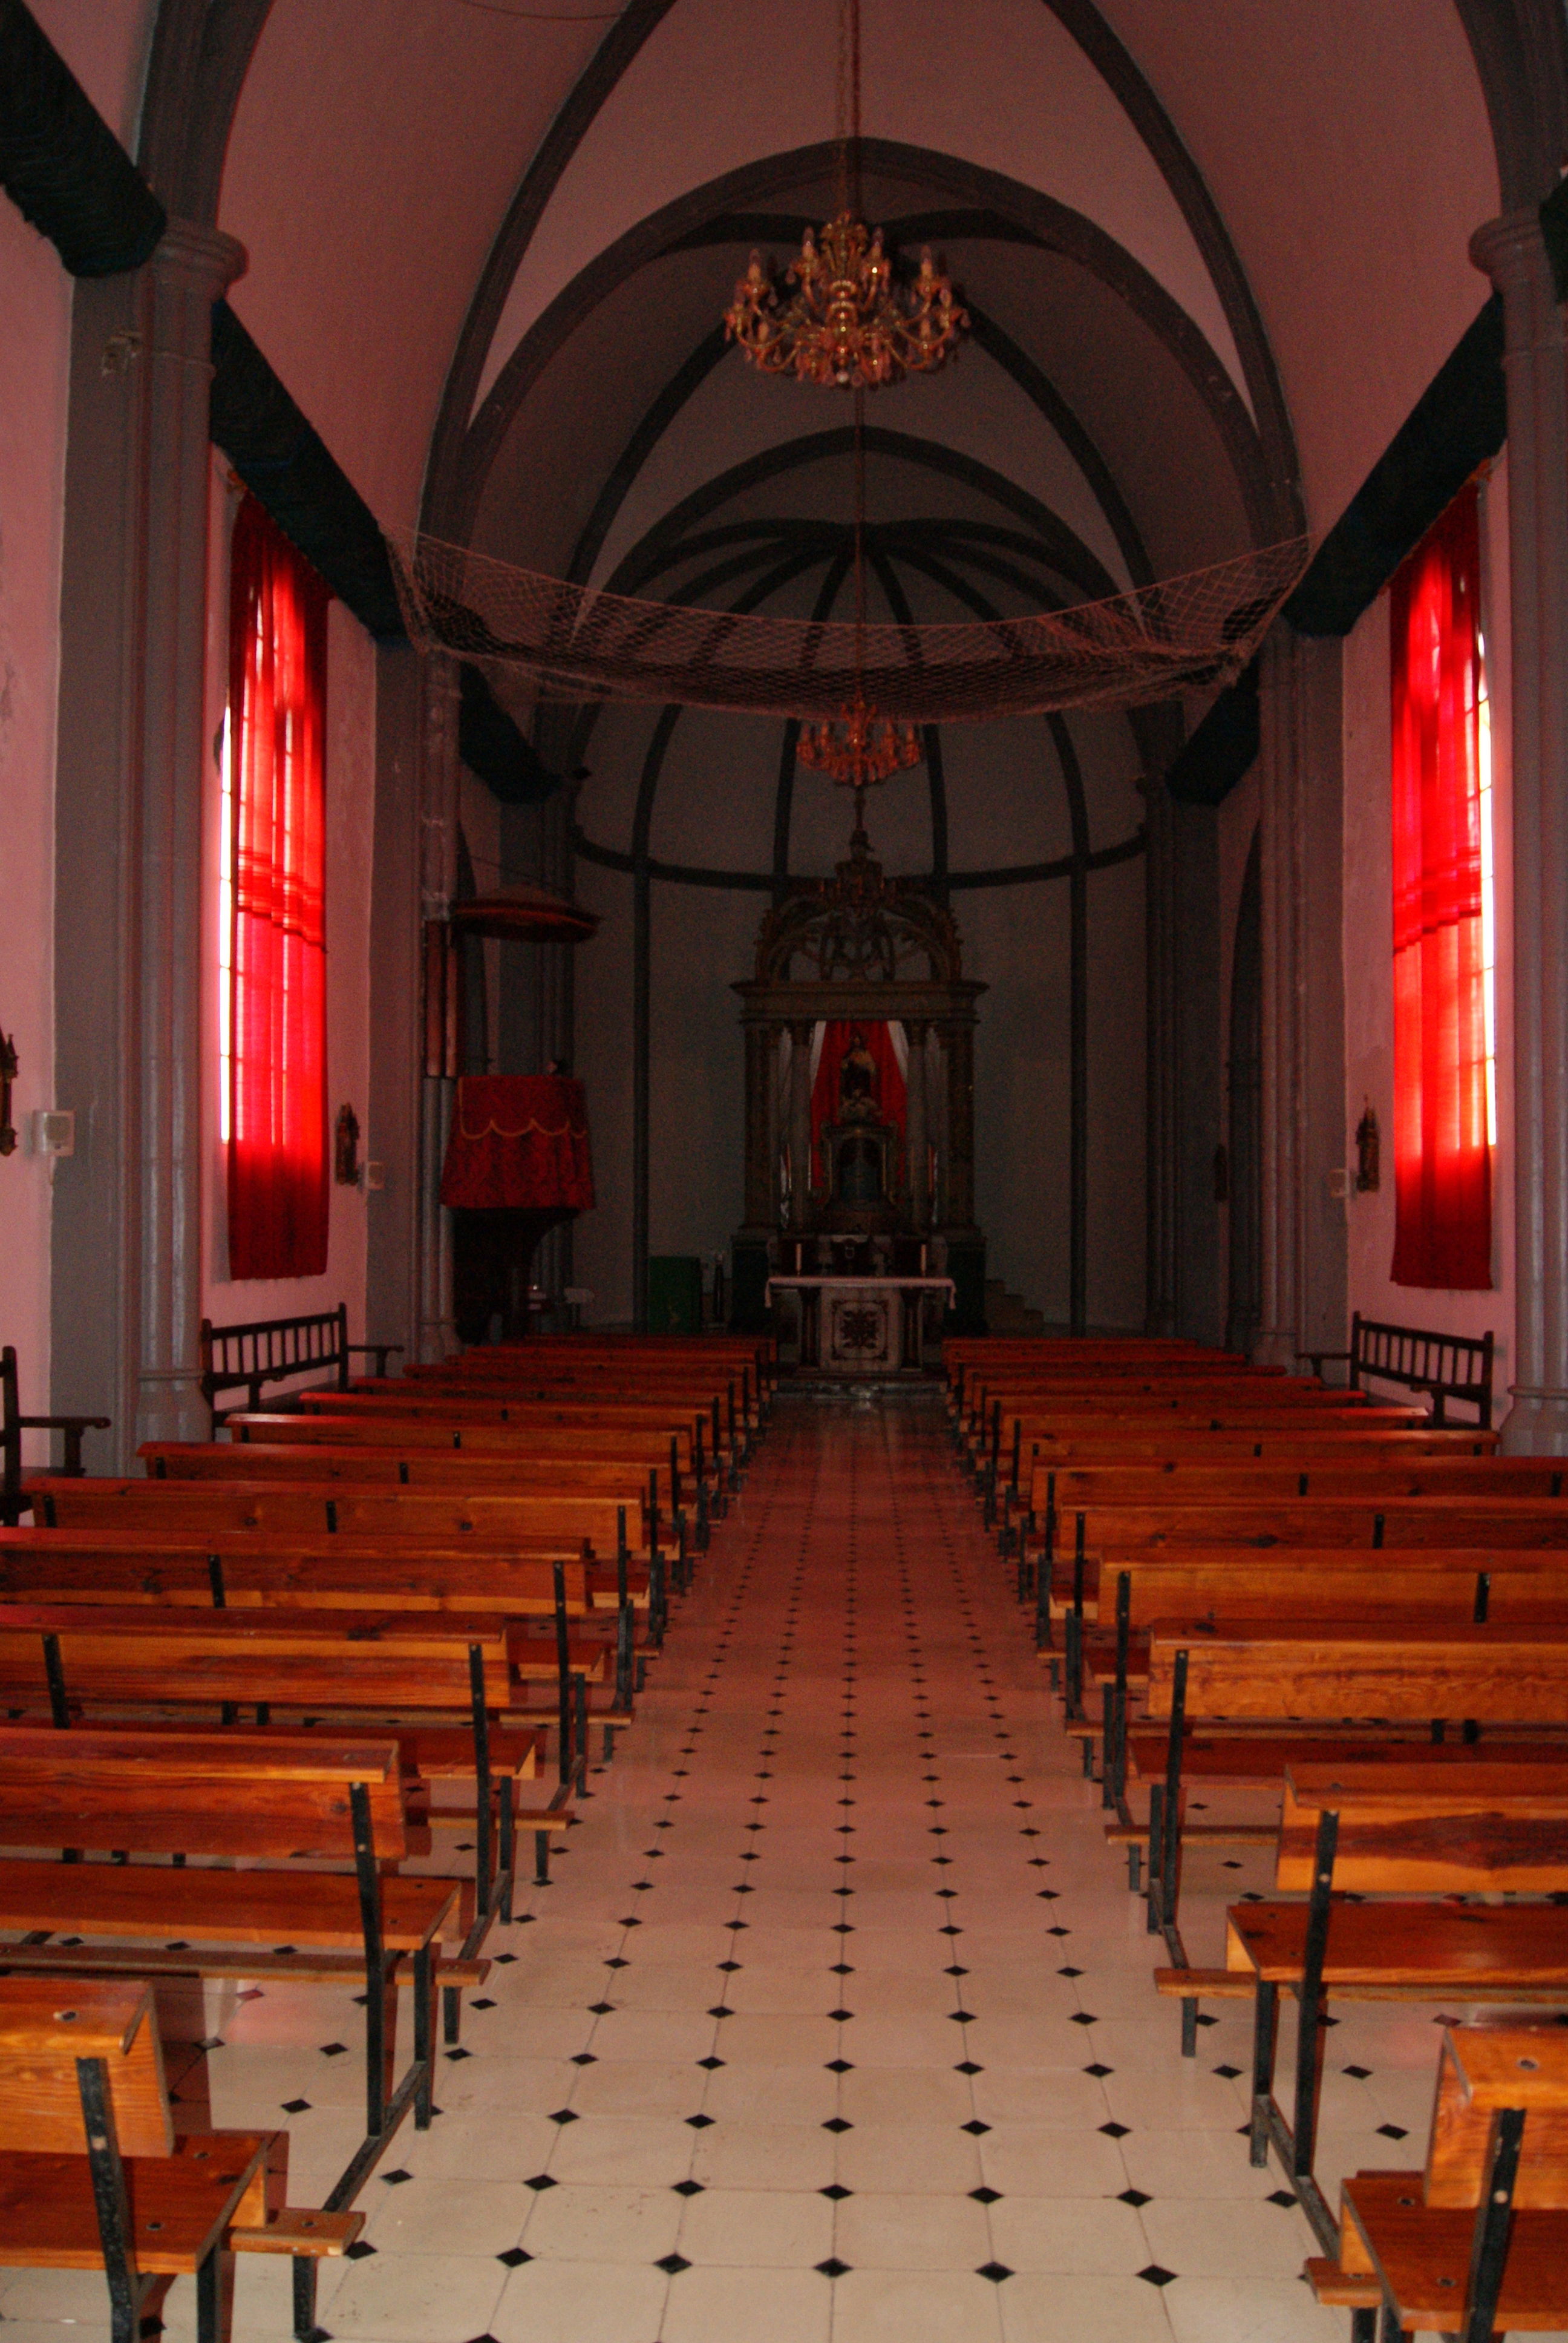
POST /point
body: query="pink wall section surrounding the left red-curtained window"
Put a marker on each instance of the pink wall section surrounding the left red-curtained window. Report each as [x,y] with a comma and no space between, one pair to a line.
[350,802]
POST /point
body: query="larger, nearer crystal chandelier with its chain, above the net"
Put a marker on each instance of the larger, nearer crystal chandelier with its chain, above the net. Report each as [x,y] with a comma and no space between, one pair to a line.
[847,325]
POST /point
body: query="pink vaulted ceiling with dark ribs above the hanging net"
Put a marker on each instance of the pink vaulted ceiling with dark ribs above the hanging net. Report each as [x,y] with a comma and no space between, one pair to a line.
[1213,257]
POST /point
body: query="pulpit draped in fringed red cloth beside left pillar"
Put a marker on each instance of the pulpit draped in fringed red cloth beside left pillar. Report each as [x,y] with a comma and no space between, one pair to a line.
[517,1166]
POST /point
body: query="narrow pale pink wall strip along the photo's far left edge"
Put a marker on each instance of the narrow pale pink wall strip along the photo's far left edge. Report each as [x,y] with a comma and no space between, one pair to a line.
[34,374]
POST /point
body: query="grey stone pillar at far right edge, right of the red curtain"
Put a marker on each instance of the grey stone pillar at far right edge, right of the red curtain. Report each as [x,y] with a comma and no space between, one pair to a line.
[1515,257]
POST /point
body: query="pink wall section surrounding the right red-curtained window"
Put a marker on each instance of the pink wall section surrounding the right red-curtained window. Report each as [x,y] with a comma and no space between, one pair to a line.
[1370,948]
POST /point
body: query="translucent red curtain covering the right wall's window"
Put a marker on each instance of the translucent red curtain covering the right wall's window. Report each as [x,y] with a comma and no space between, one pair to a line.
[1443,1159]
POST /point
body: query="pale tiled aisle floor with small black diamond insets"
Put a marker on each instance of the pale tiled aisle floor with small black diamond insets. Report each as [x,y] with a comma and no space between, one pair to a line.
[836,2026]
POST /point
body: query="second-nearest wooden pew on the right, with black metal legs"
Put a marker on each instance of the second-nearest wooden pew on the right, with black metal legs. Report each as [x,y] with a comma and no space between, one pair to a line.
[1398,1831]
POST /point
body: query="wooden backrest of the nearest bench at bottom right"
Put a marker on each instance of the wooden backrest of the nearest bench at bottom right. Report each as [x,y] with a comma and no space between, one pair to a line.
[1485,2070]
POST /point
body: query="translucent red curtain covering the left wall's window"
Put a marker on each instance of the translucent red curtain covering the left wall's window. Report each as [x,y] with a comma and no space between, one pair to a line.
[278,1170]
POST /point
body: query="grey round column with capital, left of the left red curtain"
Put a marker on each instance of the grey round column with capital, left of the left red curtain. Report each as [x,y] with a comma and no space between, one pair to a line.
[186,275]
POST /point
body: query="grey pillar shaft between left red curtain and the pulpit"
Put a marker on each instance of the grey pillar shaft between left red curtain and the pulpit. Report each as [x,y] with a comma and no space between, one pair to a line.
[437,798]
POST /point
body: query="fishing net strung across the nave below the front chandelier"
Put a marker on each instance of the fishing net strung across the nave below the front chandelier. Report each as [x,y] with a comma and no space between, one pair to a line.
[578,643]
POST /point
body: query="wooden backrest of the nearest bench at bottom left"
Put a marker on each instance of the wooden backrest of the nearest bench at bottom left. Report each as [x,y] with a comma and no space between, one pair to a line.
[46,2028]
